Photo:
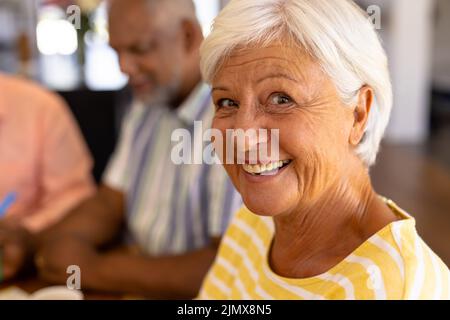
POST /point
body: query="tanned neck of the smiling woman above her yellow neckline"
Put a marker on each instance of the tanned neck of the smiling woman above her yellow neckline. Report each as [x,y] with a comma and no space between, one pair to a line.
[311,240]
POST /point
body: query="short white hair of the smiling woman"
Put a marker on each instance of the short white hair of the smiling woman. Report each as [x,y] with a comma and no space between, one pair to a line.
[336,33]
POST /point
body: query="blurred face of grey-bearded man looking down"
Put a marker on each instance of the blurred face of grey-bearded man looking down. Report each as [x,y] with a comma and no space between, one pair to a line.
[150,54]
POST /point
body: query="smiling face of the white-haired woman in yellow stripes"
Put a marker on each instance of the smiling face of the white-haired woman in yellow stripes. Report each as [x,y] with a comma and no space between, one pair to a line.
[283,88]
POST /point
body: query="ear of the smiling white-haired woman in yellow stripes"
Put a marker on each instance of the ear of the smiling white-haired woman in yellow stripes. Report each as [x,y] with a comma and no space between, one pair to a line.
[361,114]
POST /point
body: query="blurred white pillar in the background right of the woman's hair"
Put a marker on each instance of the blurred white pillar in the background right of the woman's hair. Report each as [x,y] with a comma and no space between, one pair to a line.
[410,50]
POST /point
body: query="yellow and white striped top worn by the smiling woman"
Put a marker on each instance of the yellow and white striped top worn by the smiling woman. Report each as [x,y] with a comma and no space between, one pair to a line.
[395,263]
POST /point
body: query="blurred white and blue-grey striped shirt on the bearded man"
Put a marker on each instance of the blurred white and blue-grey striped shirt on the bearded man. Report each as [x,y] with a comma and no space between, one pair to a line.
[171,209]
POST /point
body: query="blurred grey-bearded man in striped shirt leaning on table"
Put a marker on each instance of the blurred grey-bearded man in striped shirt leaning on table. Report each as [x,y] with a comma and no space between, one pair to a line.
[175,214]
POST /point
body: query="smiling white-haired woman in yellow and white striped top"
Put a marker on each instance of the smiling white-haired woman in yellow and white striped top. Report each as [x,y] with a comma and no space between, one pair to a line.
[313,227]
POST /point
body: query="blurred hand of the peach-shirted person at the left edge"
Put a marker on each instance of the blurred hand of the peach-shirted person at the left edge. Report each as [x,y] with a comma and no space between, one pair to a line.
[16,249]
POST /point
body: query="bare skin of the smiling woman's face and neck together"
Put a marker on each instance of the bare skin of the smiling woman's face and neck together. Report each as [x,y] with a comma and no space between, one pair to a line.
[323,204]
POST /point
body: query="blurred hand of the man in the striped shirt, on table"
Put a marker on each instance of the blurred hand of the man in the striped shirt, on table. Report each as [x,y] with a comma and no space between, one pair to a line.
[58,253]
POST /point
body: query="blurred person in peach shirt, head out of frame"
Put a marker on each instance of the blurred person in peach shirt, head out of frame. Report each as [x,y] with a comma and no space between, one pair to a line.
[43,161]
